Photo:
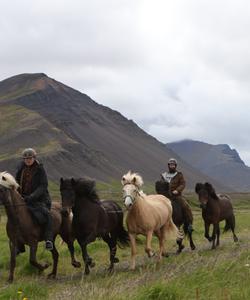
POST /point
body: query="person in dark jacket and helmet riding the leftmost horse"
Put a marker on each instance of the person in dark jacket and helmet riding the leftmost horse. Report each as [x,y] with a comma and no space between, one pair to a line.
[33,182]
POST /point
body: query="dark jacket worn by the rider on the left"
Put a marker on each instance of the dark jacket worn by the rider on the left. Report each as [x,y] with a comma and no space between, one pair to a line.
[39,186]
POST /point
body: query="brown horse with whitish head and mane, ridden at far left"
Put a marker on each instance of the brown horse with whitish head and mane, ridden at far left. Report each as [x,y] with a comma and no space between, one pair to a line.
[21,228]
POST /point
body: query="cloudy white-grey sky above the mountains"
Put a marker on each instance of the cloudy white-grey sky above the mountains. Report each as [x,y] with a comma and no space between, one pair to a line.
[179,68]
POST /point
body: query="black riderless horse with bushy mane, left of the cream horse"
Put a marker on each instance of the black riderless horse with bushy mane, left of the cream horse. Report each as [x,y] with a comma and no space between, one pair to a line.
[93,218]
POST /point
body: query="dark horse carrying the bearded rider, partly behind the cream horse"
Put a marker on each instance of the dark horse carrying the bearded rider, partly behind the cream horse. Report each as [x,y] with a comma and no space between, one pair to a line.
[179,218]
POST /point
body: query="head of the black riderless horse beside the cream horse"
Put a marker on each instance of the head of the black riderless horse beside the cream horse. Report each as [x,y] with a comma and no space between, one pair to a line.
[67,194]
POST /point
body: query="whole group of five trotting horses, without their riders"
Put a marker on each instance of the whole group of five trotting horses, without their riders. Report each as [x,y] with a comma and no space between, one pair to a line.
[82,216]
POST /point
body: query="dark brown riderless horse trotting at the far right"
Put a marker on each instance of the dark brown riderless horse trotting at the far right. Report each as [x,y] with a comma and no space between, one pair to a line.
[215,208]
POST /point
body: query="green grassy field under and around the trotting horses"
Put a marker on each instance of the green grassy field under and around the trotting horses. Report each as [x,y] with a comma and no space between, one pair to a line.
[223,273]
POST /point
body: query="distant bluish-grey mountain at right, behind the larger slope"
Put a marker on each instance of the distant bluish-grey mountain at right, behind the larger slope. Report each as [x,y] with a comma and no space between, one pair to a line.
[217,161]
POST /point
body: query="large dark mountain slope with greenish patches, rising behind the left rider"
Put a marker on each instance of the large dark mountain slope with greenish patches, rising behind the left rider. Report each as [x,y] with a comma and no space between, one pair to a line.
[74,135]
